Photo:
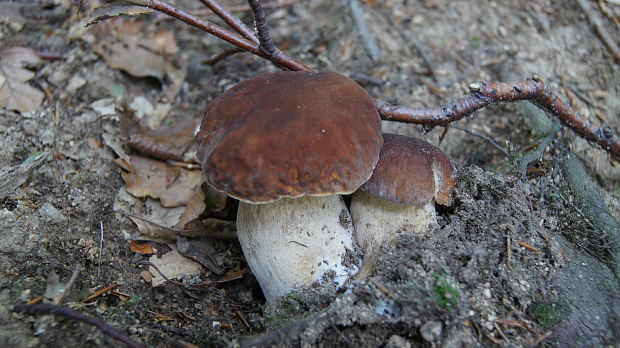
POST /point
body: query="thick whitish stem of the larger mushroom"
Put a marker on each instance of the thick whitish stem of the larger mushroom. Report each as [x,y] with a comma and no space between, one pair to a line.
[293,242]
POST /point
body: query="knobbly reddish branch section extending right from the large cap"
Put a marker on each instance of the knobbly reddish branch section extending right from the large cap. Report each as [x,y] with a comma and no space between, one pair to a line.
[483,94]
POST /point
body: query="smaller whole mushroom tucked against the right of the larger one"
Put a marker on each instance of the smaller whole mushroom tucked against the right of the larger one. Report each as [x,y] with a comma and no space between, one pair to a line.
[399,197]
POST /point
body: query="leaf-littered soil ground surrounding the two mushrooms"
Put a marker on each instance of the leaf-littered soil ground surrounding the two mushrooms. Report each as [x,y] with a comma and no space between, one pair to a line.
[516,261]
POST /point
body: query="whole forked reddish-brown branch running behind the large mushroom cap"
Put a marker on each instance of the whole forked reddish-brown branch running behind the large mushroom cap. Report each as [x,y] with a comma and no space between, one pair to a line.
[482,94]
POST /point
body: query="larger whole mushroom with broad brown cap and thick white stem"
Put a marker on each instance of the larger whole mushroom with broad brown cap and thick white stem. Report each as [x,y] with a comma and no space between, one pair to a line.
[286,145]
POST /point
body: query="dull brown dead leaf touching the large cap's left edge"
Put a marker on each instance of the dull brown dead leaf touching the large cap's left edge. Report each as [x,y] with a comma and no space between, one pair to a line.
[168,142]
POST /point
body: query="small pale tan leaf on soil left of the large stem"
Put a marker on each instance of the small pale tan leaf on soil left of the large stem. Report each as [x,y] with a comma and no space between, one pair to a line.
[174,266]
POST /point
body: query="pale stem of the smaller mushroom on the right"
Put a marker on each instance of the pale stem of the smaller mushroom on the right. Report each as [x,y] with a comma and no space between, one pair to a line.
[378,221]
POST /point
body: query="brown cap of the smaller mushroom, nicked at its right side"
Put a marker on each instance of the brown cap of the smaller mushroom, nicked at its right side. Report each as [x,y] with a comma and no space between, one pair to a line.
[411,171]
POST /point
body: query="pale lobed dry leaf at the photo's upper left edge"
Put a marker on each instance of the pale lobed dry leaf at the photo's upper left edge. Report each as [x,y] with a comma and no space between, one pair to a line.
[15,92]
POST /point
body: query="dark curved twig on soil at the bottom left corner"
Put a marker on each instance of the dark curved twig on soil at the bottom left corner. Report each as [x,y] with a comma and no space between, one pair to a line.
[47,308]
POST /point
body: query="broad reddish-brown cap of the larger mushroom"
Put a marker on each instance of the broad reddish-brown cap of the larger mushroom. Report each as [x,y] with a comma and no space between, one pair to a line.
[289,134]
